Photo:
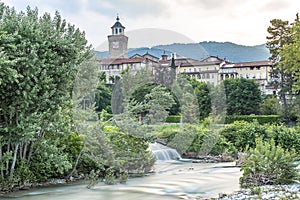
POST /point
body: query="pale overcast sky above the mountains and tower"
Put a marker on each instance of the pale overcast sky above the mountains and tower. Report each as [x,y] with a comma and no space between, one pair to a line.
[153,22]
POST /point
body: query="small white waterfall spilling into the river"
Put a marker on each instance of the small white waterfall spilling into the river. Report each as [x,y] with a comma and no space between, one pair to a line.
[164,153]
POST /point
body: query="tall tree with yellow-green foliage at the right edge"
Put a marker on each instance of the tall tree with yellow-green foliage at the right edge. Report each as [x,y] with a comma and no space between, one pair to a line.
[283,41]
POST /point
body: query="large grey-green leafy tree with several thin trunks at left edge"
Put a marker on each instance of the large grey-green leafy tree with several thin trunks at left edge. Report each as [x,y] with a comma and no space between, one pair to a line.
[39,57]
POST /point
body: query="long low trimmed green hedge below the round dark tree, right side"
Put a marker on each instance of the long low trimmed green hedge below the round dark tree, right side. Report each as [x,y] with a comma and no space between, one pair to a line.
[262,119]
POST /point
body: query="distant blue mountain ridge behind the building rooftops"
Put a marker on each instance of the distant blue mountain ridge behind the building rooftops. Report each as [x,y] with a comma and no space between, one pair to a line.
[231,51]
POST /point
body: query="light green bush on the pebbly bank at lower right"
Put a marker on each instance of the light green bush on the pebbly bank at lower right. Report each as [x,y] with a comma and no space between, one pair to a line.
[269,164]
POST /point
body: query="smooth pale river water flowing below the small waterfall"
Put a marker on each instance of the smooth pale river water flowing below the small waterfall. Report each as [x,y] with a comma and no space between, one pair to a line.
[171,180]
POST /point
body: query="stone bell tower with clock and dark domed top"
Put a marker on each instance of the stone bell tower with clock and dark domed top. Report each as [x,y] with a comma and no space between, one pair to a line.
[117,41]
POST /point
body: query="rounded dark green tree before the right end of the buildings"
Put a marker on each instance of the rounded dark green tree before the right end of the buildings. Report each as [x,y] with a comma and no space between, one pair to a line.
[242,96]
